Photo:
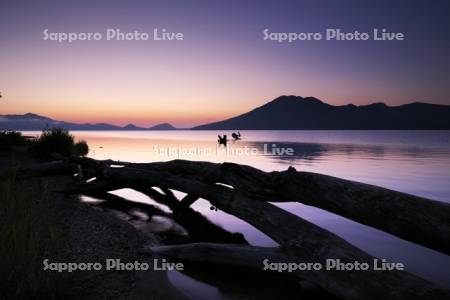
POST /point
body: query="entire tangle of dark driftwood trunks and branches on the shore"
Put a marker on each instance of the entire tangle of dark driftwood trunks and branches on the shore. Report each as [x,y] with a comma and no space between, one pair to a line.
[245,192]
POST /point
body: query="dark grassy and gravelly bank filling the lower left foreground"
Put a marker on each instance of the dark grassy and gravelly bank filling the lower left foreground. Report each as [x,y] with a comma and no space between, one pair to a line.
[45,224]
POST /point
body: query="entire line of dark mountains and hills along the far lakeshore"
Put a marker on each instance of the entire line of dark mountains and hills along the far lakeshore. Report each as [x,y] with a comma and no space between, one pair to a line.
[282,113]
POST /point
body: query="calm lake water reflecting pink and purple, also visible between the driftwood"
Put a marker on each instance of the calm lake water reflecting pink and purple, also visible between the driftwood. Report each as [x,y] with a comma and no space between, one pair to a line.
[415,162]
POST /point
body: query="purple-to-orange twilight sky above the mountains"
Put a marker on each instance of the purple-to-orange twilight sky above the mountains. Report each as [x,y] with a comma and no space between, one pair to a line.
[223,66]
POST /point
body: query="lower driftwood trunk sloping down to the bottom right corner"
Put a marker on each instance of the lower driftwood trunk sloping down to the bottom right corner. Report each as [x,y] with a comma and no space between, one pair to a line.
[297,238]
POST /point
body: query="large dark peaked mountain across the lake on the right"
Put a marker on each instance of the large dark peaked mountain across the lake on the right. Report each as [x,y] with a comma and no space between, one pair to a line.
[294,112]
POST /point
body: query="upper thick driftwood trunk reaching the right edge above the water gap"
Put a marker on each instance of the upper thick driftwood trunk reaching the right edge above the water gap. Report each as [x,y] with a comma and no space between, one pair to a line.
[416,219]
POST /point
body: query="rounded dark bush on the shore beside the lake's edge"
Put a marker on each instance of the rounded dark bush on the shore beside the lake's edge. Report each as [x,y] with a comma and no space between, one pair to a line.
[53,140]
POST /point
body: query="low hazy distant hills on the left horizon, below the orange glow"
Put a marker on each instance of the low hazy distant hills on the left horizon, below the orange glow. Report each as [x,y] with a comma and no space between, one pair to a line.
[31,121]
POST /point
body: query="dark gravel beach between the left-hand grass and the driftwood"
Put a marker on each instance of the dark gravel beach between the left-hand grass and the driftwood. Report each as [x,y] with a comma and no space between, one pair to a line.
[89,234]
